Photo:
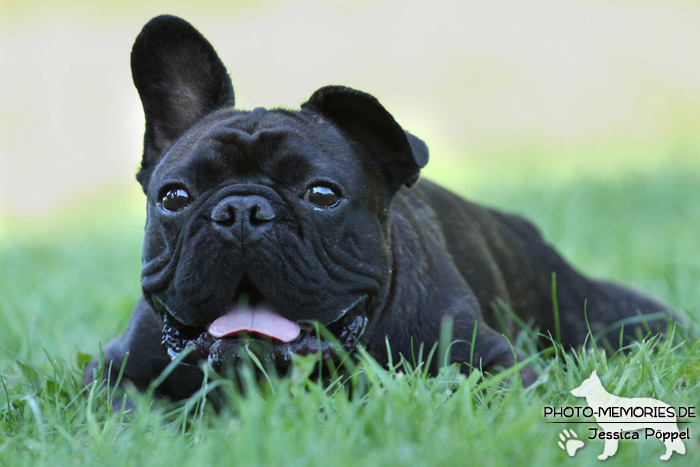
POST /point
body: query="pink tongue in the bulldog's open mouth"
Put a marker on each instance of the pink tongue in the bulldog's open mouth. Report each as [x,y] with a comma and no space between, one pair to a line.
[261,320]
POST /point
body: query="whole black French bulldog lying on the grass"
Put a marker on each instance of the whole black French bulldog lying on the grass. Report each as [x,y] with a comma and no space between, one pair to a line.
[261,223]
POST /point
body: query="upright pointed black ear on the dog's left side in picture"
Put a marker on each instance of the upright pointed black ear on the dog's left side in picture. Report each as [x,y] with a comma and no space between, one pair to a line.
[180,79]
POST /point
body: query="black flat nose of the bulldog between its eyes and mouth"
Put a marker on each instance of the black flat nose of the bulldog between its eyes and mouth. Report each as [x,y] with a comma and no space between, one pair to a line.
[242,216]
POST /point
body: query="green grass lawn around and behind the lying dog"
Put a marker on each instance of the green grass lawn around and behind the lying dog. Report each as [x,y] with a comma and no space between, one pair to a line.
[68,283]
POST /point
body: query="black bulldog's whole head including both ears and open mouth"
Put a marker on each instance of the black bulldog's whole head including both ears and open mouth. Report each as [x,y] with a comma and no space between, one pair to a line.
[261,223]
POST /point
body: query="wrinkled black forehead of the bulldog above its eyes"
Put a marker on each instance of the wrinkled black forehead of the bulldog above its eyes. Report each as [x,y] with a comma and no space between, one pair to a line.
[277,145]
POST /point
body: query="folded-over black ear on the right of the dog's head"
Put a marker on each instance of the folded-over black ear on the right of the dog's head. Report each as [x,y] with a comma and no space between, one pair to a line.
[400,155]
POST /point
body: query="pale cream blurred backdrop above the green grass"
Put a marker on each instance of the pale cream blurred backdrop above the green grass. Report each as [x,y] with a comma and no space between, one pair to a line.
[569,79]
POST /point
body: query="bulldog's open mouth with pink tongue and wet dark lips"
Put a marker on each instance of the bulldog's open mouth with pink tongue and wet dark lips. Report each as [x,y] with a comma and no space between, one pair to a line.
[252,322]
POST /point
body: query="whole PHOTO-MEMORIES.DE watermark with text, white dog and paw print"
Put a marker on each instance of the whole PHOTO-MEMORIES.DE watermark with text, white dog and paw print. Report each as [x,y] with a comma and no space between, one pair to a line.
[620,418]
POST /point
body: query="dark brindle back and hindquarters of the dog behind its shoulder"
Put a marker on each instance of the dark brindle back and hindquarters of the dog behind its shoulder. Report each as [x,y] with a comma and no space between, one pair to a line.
[504,259]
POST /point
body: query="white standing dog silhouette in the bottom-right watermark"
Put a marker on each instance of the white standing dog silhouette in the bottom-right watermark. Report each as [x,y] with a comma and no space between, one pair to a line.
[618,416]
